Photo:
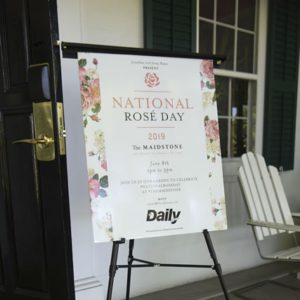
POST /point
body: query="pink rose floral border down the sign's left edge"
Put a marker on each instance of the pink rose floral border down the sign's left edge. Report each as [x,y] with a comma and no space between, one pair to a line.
[98,182]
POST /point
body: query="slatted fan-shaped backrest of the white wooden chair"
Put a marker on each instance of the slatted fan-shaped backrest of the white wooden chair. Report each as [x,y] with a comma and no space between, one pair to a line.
[264,194]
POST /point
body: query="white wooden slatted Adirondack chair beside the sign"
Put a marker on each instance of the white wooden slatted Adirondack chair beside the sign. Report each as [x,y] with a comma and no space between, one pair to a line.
[270,215]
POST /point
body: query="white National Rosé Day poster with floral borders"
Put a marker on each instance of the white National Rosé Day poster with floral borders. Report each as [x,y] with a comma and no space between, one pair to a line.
[152,145]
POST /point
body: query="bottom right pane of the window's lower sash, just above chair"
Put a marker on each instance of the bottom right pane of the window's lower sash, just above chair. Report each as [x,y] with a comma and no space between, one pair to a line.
[238,137]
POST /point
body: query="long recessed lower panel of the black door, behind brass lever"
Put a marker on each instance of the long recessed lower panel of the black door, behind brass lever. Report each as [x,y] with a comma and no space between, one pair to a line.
[25,204]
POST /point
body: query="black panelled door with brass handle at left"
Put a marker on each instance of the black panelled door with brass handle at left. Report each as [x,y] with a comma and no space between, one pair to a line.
[35,242]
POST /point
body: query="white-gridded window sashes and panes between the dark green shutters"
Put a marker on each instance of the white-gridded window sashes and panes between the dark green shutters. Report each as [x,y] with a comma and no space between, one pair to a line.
[229,28]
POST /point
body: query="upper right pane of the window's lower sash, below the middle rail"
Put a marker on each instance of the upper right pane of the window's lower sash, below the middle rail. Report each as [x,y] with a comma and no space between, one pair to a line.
[239,100]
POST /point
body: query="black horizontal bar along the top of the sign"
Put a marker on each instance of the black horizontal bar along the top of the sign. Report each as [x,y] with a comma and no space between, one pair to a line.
[70,50]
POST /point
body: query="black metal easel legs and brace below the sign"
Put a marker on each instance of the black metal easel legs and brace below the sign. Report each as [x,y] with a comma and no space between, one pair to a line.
[145,263]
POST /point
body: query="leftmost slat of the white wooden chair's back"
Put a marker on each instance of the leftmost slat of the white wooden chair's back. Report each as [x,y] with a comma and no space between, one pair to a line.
[255,197]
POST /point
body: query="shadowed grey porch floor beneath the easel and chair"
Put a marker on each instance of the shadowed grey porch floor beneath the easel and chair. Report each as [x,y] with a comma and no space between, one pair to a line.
[272,281]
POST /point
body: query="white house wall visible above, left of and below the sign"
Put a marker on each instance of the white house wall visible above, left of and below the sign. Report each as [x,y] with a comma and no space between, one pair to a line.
[117,22]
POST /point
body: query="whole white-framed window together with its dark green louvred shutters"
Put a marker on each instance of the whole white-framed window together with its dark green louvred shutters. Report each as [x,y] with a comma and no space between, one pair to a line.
[230,27]
